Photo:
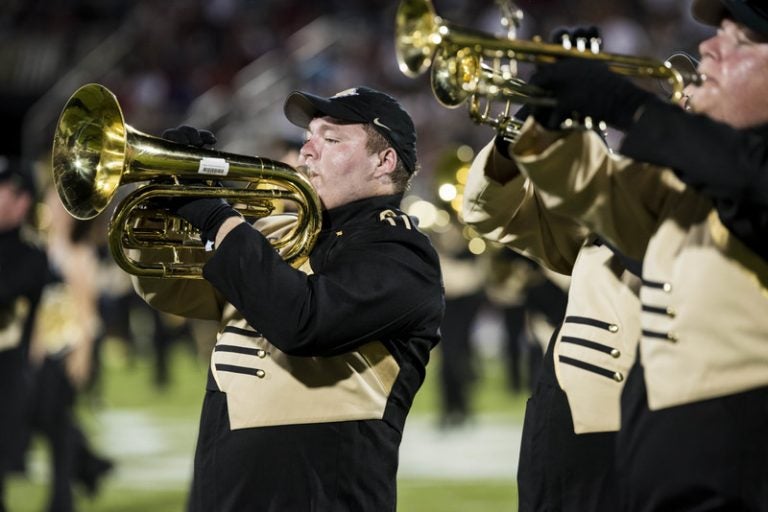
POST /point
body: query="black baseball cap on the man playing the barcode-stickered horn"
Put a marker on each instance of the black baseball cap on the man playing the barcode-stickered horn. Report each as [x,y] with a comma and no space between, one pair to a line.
[359,105]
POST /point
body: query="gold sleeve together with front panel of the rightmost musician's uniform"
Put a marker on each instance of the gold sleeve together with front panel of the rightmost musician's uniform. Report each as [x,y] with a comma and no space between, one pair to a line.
[714,343]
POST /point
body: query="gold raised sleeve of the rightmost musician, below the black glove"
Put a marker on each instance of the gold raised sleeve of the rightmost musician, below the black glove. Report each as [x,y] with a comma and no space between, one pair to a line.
[615,197]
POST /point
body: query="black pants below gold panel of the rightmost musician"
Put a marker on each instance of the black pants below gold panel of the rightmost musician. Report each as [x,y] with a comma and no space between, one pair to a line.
[706,456]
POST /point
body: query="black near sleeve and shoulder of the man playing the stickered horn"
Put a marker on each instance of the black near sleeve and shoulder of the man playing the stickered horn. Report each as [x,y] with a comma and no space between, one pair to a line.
[372,289]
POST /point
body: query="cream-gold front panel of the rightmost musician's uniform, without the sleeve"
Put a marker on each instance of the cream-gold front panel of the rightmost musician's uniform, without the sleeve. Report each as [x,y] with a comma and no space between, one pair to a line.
[715,335]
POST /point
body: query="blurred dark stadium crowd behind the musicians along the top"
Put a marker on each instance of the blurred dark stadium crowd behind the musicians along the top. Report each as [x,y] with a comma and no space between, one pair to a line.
[229,63]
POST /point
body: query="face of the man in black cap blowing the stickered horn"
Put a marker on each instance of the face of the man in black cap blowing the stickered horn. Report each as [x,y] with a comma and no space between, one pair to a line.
[338,162]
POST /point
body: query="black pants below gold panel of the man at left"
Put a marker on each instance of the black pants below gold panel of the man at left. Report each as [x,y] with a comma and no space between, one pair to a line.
[345,466]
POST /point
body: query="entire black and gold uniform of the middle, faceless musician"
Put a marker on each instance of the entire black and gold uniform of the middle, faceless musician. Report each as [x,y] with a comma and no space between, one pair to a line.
[567,452]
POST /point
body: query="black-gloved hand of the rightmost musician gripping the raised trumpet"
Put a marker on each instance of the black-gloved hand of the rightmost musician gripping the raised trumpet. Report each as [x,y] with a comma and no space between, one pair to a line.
[583,87]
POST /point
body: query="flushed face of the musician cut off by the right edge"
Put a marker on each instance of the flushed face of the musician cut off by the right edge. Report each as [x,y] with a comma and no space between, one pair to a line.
[735,62]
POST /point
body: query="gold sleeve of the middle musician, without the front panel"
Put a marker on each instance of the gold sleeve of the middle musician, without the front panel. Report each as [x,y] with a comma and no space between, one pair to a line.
[513,214]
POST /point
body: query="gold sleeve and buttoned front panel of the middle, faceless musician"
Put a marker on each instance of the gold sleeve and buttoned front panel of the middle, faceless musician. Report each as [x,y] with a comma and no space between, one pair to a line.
[603,327]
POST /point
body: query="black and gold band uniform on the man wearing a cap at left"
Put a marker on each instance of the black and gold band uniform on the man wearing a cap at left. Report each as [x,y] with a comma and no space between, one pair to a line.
[313,372]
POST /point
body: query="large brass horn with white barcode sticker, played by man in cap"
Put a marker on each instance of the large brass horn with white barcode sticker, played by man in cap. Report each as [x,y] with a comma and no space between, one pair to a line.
[95,152]
